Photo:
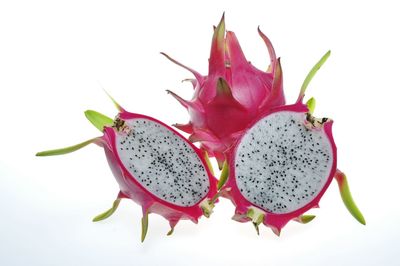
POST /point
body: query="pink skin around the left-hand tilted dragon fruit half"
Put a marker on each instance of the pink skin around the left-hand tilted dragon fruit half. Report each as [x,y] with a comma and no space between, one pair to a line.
[132,189]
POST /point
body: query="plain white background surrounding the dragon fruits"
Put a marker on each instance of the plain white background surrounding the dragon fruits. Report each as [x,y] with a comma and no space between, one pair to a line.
[55,58]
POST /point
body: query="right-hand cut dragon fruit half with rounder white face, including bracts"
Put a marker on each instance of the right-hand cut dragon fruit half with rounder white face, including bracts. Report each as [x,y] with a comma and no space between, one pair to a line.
[283,164]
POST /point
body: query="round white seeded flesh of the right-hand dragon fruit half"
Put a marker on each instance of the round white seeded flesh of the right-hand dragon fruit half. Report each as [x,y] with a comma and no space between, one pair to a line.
[281,164]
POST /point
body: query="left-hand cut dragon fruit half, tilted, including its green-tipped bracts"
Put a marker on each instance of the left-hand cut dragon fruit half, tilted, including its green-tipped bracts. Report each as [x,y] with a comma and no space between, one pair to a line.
[154,166]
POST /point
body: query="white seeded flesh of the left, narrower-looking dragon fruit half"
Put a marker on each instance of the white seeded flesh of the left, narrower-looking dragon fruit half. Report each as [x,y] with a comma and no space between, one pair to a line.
[162,162]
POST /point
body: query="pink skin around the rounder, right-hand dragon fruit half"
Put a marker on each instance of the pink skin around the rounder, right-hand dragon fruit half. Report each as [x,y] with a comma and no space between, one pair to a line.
[275,221]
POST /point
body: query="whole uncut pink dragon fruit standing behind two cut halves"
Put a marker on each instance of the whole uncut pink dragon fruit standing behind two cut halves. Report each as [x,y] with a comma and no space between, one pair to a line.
[231,95]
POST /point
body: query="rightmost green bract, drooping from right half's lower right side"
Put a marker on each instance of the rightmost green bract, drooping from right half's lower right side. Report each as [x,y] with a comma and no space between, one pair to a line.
[347,198]
